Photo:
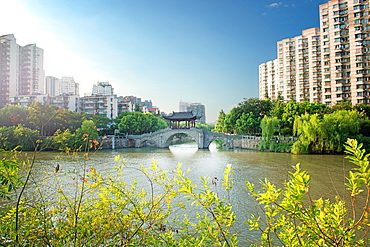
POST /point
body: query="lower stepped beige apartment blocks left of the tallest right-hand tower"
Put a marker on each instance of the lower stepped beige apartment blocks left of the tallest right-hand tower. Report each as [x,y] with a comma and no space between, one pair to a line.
[296,73]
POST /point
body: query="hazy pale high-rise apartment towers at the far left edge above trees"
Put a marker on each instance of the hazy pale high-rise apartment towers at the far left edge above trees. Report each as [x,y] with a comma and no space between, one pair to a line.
[21,71]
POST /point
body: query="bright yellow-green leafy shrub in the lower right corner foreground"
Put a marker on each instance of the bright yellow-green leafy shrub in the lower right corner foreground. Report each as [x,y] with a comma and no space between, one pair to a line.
[292,218]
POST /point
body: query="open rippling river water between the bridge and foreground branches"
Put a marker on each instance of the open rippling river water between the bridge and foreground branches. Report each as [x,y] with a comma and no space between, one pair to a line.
[327,171]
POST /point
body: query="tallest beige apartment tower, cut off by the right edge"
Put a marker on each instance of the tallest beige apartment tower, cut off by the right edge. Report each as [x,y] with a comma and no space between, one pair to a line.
[345,27]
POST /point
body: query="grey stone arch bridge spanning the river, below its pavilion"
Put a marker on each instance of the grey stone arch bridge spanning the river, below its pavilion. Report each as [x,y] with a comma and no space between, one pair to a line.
[163,138]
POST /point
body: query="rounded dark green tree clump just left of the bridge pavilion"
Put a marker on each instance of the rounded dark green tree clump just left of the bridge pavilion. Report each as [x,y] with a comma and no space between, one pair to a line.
[137,123]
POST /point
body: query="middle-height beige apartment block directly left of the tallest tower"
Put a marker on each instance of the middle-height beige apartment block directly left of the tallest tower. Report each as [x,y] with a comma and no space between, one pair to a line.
[299,68]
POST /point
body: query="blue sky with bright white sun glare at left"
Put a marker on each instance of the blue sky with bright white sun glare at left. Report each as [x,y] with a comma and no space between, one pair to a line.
[166,51]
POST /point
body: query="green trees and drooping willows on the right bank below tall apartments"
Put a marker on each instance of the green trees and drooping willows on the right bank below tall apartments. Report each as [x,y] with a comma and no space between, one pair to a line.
[320,129]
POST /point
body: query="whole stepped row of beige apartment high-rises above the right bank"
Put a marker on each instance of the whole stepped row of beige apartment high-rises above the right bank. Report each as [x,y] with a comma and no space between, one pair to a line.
[325,65]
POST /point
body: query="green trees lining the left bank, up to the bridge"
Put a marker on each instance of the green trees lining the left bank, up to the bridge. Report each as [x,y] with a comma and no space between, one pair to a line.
[63,129]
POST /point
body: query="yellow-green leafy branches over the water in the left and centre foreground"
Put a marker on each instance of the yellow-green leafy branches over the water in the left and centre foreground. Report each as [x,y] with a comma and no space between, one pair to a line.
[106,211]
